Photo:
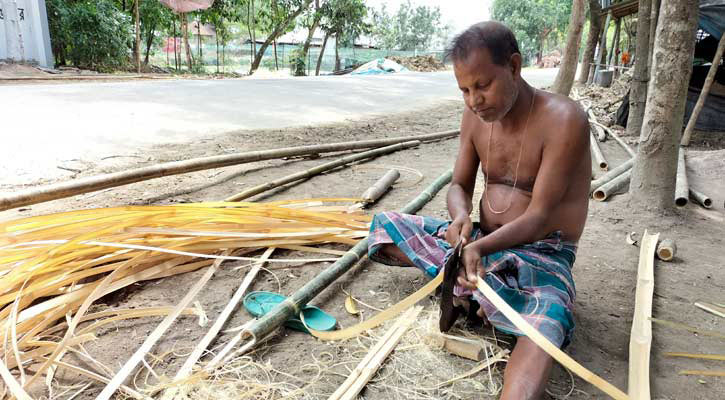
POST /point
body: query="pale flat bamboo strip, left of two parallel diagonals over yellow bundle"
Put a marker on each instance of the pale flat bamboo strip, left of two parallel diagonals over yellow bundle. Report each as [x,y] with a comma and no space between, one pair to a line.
[154,336]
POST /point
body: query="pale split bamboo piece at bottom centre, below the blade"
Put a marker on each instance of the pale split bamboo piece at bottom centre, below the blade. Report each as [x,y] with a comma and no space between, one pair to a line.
[372,361]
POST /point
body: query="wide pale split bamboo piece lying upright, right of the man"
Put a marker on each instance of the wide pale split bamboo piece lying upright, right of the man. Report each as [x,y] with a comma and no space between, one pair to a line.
[640,341]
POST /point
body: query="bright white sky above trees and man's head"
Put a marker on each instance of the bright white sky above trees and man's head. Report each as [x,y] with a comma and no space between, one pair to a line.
[459,13]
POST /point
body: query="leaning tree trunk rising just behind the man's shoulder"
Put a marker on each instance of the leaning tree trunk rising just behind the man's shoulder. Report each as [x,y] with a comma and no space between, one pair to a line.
[567,70]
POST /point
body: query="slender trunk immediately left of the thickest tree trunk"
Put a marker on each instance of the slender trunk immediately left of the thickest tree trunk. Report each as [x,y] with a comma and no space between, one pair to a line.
[640,77]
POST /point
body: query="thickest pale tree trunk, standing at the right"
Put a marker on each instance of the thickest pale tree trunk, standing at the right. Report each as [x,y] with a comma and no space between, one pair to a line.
[655,168]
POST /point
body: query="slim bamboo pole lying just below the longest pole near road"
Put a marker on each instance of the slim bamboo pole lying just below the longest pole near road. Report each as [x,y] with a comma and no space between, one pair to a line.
[319,169]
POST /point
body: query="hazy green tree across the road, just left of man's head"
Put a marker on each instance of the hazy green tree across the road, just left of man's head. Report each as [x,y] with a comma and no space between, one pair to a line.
[410,28]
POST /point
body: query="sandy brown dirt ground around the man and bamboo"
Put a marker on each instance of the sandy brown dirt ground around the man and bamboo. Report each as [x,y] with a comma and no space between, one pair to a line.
[605,272]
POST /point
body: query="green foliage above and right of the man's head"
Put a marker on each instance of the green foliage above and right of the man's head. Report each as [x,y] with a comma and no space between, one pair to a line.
[533,22]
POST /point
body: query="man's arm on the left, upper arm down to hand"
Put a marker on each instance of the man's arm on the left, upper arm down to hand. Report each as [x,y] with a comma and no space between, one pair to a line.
[460,193]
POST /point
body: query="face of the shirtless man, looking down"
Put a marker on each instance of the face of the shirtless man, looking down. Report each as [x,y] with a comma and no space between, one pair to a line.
[489,90]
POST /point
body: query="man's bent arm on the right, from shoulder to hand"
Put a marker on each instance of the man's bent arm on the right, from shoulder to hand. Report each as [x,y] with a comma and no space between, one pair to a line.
[560,156]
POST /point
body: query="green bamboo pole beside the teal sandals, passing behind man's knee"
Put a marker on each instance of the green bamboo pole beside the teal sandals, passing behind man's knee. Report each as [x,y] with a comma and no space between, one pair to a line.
[290,307]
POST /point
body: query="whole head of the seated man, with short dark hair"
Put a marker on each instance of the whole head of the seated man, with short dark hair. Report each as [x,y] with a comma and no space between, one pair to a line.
[487,65]
